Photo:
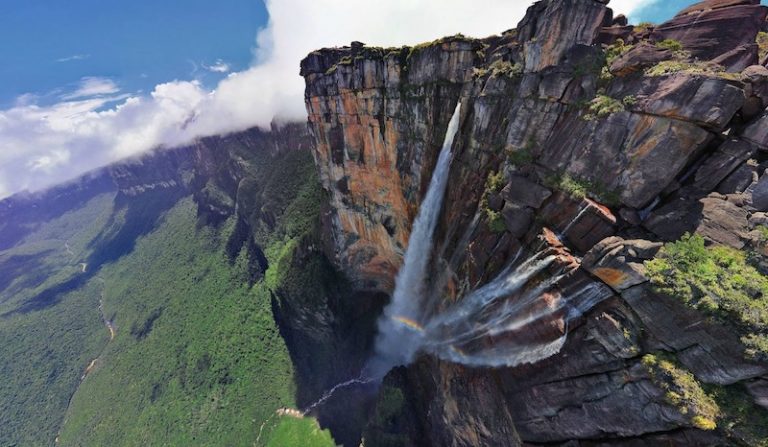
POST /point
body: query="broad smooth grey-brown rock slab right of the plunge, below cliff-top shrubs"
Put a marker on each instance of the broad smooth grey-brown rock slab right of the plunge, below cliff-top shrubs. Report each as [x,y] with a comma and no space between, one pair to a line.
[634,155]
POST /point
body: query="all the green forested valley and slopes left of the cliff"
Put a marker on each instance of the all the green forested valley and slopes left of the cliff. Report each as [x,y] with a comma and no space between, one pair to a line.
[197,359]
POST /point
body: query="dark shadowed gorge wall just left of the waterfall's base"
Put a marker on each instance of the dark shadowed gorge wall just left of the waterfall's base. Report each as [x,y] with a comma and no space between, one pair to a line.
[329,329]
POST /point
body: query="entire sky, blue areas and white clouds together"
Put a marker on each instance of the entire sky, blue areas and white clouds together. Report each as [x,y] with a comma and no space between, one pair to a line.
[84,83]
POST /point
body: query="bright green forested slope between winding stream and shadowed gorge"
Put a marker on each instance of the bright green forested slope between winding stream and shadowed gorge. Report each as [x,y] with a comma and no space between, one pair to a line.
[197,359]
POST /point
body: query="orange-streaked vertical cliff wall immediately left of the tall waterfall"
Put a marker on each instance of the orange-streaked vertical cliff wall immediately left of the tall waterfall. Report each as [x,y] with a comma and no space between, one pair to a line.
[371,112]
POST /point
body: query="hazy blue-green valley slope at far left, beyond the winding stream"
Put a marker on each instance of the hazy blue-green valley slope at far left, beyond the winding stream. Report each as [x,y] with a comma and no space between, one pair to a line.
[43,352]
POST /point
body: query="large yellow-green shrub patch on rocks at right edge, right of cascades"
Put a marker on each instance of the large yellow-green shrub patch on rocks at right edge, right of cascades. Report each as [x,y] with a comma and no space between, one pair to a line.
[719,281]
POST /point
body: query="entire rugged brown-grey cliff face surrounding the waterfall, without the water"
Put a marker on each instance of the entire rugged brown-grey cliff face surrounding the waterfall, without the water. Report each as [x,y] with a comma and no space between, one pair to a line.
[617,145]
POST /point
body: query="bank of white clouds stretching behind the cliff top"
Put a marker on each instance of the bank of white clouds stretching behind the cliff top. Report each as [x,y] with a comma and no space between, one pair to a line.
[43,145]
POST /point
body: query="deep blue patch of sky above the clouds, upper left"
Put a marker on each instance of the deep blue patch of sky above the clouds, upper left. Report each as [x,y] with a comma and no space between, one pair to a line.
[47,45]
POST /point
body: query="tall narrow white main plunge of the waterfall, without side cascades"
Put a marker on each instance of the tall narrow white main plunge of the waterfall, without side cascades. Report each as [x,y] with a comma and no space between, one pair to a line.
[397,342]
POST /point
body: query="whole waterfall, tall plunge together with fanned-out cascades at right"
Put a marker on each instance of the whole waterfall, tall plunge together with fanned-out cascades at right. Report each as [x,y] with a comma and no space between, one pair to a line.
[509,321]
